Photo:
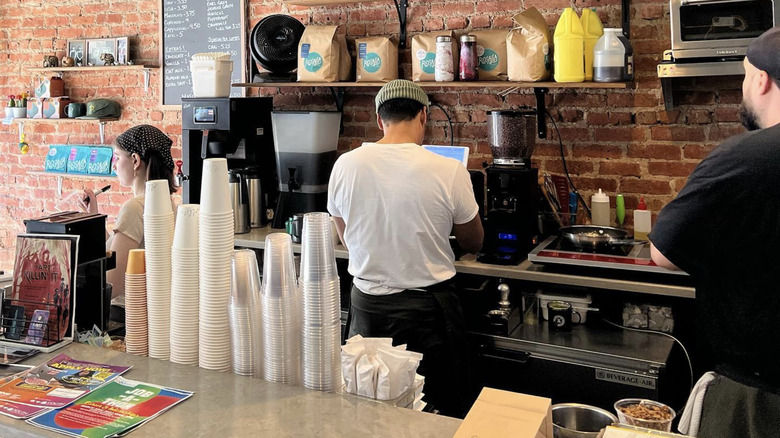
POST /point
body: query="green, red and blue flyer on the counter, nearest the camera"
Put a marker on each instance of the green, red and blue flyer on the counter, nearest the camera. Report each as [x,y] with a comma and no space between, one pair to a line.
[111,410]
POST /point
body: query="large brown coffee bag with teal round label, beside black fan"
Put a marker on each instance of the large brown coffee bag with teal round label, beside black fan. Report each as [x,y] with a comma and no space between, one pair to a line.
[319,54]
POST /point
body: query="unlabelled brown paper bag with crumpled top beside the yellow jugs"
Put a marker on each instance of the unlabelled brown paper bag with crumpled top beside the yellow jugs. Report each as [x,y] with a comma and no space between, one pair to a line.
[528,48]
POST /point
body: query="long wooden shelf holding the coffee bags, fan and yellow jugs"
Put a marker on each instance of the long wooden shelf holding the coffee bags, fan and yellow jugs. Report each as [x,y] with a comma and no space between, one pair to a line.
[472,85]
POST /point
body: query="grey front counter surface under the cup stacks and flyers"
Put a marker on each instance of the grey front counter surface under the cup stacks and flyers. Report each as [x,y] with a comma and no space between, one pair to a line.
[226,405]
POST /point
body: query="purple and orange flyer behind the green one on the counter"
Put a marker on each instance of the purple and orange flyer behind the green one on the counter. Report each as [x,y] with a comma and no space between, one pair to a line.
[58,382]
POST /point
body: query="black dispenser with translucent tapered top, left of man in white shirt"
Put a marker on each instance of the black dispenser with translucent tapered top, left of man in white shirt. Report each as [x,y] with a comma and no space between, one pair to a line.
[306,149]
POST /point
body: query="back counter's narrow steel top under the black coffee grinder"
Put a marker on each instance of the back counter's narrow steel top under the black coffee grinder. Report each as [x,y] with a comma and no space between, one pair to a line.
[524,271]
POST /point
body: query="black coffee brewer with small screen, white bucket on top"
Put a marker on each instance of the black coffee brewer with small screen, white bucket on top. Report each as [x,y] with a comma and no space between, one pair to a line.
[238,129]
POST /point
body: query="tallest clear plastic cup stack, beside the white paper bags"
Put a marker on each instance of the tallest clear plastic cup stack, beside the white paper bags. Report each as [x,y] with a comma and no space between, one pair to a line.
[321,309]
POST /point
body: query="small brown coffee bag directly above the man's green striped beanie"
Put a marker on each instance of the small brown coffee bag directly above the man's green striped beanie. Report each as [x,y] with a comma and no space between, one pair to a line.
[377,59]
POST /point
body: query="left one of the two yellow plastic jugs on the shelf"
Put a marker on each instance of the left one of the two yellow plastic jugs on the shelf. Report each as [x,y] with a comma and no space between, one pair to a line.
[568,52]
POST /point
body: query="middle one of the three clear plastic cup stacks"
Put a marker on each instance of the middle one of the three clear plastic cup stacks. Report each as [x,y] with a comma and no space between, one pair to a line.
[280,311]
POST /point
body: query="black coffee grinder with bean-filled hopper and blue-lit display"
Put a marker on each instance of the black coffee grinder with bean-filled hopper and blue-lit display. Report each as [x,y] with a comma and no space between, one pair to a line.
[512,189]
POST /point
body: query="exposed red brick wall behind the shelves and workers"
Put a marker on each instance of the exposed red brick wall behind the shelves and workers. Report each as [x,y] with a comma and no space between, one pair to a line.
[618,140]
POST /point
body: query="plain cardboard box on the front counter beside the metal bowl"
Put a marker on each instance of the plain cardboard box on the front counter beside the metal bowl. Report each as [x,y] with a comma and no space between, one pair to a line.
[499,414]
